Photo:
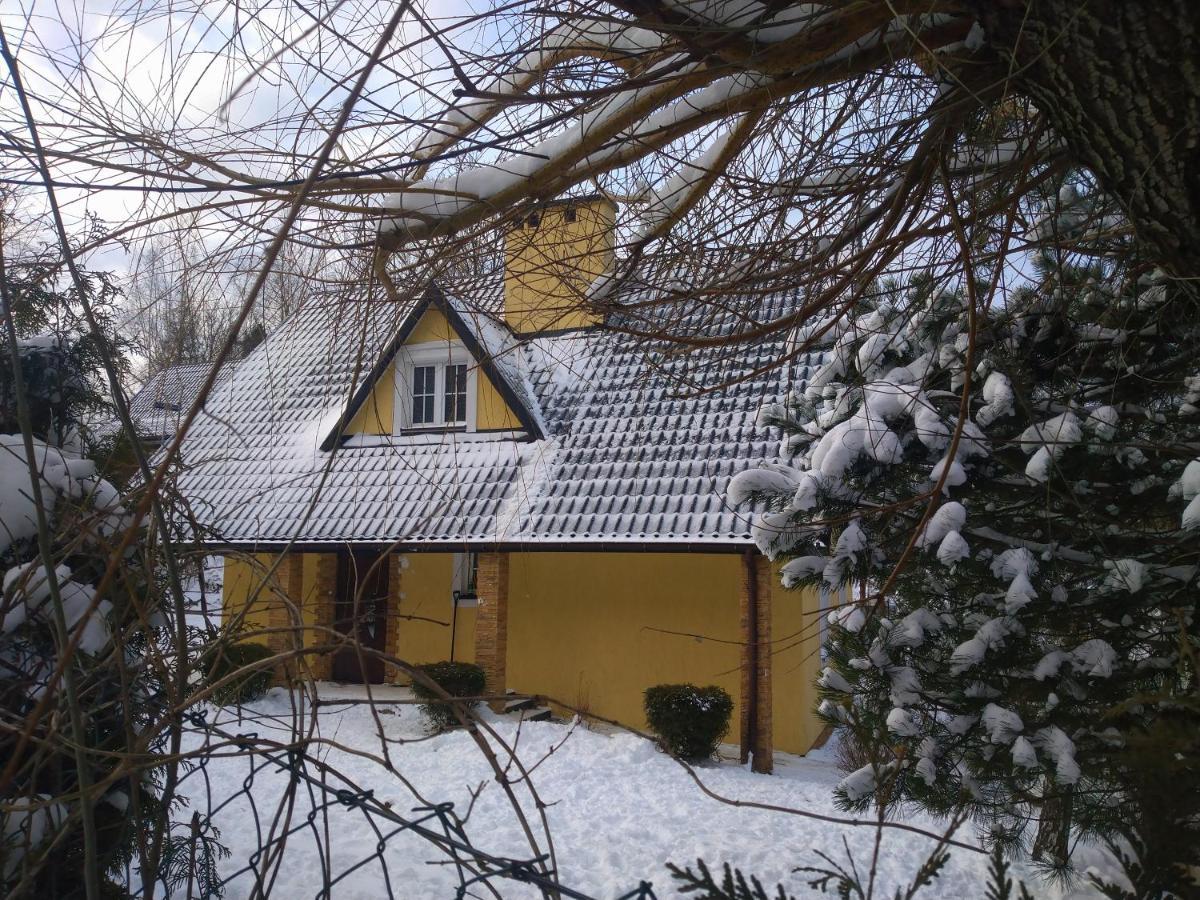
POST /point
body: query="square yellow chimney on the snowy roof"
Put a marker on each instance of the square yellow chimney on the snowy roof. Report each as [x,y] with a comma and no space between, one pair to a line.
[551,259]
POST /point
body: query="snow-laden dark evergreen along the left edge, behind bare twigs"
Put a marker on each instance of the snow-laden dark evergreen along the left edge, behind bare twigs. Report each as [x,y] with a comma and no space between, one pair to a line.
[87,729]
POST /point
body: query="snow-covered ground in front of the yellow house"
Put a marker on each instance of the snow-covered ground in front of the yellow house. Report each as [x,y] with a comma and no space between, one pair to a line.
[619,809]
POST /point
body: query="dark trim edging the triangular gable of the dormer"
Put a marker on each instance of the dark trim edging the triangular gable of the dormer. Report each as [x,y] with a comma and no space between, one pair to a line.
[487,345]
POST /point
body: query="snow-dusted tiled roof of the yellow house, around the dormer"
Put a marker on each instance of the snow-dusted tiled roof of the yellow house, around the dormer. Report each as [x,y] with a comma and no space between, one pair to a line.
[629,442]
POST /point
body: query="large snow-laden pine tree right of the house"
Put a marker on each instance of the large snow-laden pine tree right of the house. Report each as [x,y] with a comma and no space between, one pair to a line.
[1025,644]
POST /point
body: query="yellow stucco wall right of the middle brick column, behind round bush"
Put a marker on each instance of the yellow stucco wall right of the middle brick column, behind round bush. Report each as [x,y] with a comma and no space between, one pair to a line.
[592,629]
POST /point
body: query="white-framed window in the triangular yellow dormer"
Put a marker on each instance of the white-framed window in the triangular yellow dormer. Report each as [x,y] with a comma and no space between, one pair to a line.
[435,389]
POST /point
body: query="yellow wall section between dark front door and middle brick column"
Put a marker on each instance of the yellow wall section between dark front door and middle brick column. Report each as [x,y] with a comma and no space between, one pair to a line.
[428,597]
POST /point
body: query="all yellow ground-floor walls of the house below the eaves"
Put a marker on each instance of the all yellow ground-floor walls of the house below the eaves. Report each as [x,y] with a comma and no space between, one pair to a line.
[595,629]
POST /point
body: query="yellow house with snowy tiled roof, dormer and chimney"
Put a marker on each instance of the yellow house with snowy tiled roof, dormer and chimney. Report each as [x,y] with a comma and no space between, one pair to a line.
[484,472]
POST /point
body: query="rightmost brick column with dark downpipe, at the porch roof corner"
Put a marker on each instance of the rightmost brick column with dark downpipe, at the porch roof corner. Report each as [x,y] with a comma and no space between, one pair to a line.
[757,651]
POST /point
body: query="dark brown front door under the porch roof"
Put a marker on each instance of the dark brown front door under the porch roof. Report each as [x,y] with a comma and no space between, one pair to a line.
[362,613]
